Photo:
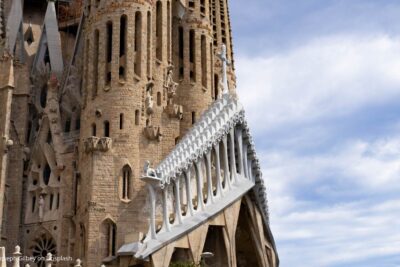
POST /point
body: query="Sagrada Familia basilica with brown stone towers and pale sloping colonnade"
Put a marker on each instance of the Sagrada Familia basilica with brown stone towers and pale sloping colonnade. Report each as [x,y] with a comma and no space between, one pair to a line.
[122,140]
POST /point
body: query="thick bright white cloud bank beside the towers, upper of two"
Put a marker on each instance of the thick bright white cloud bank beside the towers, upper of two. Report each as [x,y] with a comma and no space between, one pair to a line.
[327,77]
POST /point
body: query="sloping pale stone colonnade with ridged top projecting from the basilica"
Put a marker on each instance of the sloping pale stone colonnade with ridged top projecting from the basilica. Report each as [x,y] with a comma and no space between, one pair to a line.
[212,167]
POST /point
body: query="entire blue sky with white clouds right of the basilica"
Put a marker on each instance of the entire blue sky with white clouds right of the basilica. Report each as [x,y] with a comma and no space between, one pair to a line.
[320,81]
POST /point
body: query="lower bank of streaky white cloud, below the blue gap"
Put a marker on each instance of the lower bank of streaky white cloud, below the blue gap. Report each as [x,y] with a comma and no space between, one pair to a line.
[349,226]
